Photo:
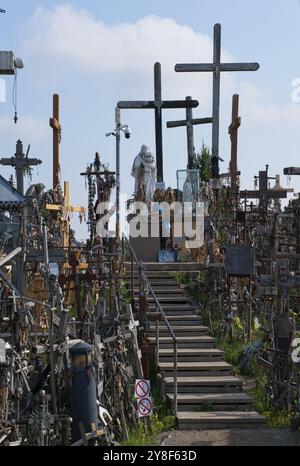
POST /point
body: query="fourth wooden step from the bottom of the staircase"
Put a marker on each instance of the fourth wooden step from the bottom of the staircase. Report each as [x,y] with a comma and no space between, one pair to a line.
[200,368]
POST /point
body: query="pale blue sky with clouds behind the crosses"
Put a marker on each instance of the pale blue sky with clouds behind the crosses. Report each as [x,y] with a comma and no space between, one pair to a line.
[105,53]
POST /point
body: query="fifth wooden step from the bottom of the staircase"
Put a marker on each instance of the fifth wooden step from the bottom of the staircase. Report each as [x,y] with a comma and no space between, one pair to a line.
[191,354]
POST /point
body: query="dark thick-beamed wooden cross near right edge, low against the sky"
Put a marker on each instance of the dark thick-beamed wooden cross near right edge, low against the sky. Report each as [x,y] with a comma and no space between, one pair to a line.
[264,194]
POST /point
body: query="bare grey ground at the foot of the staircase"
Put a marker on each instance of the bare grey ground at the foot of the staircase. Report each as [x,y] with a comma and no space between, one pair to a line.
[230,437]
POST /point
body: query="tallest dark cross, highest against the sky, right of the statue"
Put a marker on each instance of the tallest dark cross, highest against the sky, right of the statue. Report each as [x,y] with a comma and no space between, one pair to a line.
[216,67]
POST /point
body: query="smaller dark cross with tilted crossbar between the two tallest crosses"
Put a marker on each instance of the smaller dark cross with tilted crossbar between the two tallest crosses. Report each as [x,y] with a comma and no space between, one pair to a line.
[189,122]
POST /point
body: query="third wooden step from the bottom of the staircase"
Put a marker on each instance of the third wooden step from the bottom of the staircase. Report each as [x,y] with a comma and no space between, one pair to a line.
[202,384]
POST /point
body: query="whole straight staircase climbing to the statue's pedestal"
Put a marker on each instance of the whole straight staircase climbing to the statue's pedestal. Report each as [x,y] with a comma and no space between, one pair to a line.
[209,395]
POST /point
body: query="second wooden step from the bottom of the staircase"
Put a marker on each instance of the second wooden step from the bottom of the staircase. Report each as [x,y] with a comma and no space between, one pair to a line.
[220,401]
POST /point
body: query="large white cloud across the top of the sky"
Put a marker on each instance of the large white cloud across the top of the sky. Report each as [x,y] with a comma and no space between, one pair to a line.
[78,37]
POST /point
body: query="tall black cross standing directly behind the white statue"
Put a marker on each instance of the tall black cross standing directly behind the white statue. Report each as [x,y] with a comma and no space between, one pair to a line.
[157,104]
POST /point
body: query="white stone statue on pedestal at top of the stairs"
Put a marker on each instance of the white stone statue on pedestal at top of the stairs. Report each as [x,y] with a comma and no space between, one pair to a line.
[144,172]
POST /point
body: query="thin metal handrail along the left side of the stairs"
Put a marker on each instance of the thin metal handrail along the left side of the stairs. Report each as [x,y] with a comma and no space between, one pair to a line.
[160,309]
